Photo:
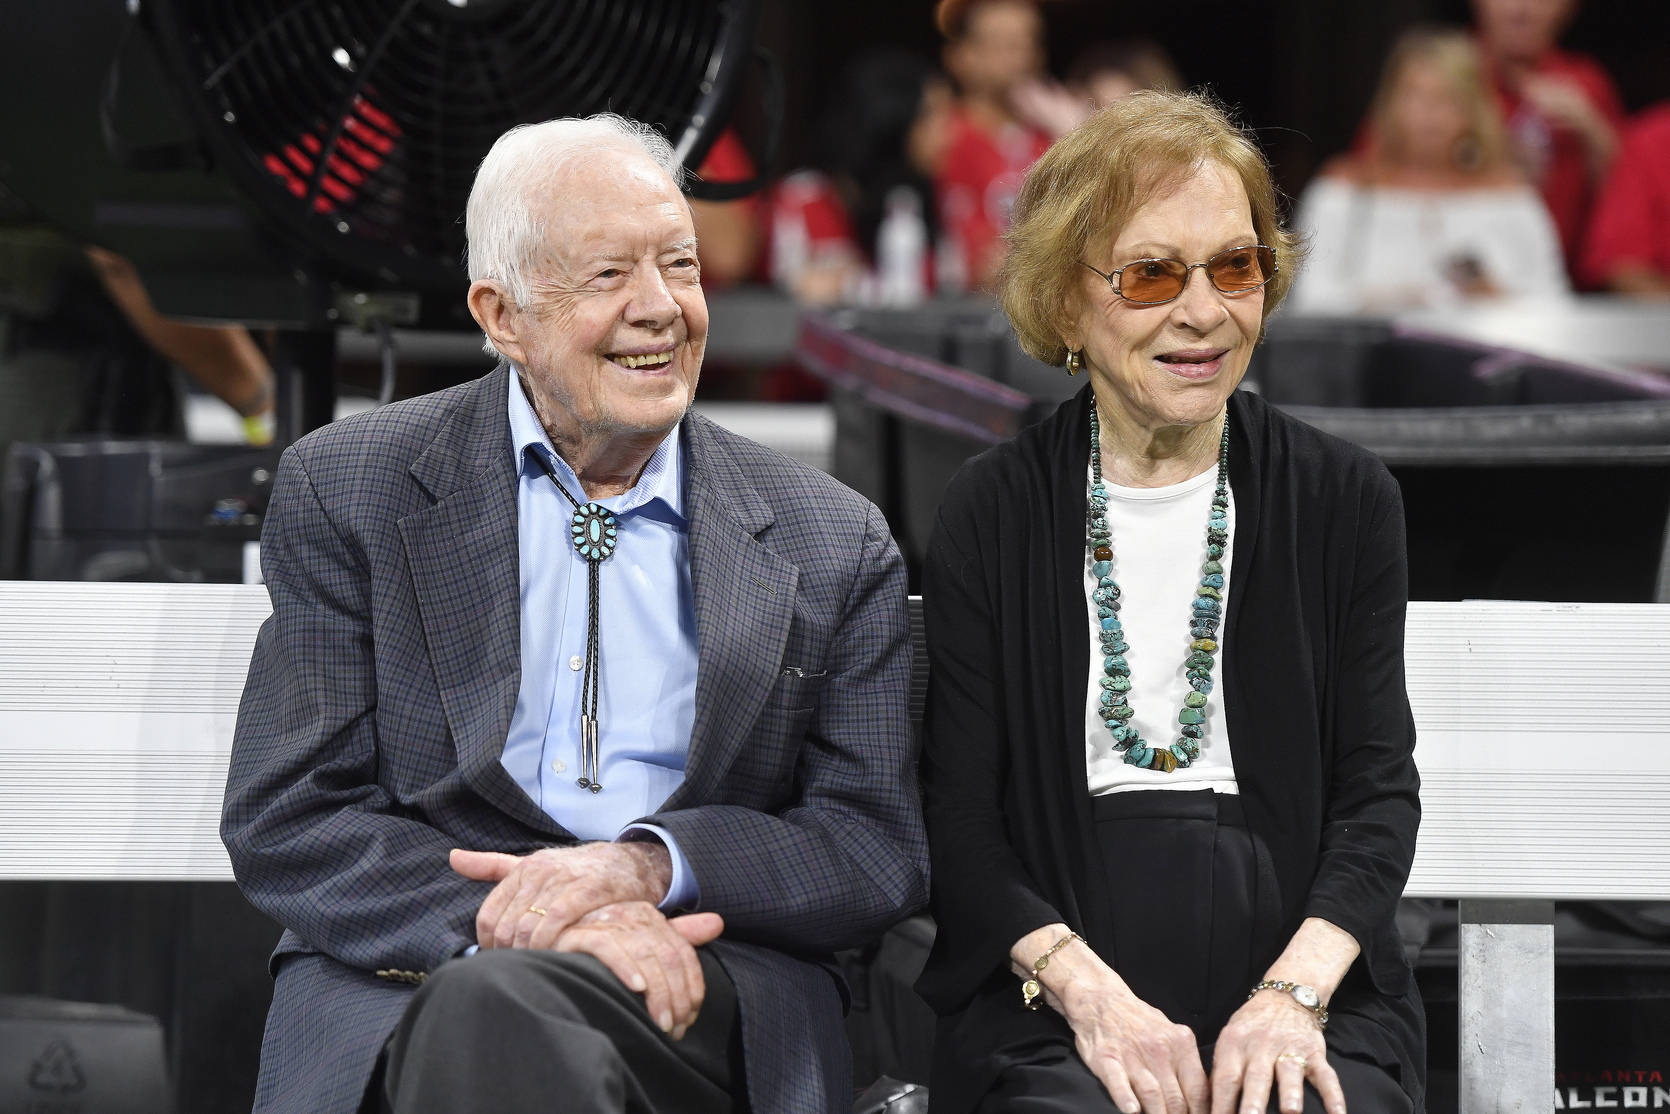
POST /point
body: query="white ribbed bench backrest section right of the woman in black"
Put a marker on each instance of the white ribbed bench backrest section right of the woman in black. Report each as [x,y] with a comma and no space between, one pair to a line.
[1544,744]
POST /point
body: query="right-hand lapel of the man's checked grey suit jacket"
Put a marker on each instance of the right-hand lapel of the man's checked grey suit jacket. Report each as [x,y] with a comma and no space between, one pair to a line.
[746,602]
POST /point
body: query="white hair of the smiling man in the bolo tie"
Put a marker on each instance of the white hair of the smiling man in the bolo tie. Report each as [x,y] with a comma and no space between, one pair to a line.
[502,223]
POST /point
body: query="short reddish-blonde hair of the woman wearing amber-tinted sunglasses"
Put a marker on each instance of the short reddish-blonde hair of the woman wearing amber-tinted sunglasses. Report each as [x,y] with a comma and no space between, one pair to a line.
[1095,180]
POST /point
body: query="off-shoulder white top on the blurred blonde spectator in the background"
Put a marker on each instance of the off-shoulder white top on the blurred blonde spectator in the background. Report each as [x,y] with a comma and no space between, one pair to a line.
[1380,250]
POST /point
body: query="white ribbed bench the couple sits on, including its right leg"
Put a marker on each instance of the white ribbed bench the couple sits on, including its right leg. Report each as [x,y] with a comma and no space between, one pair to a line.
[1544,752]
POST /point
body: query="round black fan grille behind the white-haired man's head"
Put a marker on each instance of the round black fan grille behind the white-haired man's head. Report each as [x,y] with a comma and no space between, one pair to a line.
[402,99]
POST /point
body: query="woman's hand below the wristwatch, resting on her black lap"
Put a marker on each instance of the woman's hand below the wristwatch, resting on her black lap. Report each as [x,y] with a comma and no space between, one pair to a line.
[1268,1040]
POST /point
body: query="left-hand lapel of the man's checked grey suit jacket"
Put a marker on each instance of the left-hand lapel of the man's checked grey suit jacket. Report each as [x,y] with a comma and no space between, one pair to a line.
[463,555]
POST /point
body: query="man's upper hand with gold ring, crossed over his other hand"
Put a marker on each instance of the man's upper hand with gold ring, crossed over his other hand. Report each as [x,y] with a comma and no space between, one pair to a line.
[540,896]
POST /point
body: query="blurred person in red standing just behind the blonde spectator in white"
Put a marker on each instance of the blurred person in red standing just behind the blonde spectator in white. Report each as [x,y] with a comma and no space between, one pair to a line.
[1562,109]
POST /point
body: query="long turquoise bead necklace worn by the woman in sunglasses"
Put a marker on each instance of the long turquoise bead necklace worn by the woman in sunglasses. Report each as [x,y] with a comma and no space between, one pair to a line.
[1207,614]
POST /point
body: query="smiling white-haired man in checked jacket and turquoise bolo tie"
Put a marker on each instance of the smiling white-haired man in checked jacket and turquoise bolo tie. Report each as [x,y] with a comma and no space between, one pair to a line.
[577,741]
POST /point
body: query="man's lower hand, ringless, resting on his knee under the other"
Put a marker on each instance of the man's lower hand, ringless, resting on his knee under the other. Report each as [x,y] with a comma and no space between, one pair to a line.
[654,956]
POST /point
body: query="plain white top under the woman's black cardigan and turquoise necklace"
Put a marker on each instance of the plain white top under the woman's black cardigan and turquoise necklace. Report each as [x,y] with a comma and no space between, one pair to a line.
[1160,547]
